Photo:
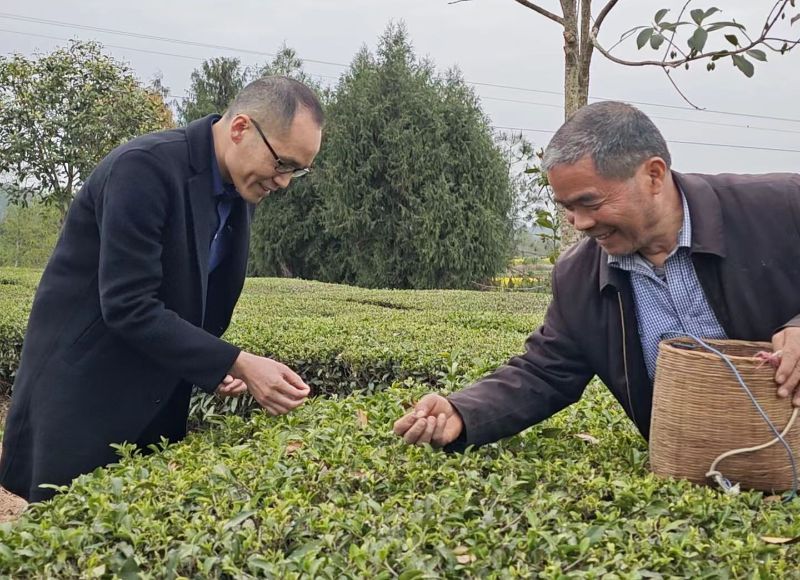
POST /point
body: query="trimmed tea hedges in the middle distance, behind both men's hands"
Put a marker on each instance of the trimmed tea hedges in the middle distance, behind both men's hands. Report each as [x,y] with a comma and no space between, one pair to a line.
[342,338]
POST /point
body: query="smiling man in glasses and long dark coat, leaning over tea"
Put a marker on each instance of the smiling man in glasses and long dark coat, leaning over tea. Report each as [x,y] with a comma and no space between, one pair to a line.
[142,283]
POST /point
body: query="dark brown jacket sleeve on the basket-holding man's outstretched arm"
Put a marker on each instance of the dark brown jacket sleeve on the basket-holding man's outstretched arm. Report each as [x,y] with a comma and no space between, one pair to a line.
[550,375]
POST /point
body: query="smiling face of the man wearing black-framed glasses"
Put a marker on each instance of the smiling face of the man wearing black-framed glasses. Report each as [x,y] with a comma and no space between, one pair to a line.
[253,167]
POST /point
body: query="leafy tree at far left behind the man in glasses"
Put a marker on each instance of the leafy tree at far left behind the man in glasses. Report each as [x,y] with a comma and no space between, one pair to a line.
[60,113]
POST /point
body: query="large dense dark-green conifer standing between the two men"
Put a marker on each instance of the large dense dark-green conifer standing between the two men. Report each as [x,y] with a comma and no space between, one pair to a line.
[410,190]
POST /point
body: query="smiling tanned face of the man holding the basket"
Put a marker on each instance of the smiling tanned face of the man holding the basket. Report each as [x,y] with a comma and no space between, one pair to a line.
[620,215]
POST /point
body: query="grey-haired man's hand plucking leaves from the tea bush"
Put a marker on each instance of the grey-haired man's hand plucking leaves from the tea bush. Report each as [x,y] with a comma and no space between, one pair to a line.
[434,420]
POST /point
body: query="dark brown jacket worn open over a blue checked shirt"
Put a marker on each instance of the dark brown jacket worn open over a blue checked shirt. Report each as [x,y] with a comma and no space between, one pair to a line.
[746,251]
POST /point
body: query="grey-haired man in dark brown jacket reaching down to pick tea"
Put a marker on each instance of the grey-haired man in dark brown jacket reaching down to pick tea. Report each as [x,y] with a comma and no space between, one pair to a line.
[717,256]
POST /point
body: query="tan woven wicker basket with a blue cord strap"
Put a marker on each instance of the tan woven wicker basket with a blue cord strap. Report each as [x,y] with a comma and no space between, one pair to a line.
[701,411]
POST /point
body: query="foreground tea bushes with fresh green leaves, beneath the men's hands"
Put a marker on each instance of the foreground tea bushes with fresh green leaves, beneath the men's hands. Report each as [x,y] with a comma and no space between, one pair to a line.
[329,492]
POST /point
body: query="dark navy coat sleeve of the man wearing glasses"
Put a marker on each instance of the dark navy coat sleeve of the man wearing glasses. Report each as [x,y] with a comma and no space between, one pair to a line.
[132,209]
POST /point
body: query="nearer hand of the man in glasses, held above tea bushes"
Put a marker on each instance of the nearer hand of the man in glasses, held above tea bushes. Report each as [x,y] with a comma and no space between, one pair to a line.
[275,386]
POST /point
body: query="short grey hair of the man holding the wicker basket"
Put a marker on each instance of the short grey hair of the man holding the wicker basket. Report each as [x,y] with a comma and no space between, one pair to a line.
[617,136]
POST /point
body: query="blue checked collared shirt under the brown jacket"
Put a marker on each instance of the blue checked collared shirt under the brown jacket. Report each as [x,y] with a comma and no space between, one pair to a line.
[669,299]
